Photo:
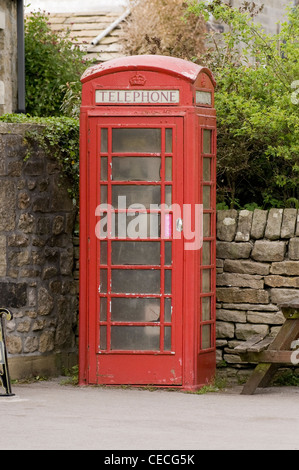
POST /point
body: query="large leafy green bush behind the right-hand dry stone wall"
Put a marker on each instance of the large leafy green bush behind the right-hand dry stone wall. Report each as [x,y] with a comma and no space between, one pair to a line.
[258,121]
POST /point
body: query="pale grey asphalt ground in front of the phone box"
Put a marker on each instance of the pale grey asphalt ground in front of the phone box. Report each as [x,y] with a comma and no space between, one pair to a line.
[51,416]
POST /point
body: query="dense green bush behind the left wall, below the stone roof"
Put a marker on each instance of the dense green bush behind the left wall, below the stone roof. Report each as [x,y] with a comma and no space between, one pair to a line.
[51,62]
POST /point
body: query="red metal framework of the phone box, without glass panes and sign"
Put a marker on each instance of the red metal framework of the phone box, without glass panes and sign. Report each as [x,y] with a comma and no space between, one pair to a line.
[189,364]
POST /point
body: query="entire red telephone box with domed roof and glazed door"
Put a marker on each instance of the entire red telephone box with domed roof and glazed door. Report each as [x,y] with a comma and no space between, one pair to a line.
[147,223]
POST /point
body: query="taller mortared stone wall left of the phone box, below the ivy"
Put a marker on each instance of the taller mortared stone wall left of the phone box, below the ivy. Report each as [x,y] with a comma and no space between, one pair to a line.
[36,257]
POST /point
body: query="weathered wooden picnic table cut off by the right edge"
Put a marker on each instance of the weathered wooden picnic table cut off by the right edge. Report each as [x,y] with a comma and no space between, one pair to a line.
[271,352]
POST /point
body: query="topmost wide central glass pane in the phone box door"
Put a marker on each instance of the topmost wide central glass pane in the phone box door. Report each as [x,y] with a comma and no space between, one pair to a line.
[136,140]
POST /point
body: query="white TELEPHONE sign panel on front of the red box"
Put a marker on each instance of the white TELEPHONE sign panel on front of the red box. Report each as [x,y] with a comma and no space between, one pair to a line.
[137,96]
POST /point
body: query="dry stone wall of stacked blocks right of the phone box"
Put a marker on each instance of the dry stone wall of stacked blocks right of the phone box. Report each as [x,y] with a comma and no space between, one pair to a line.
[257,270]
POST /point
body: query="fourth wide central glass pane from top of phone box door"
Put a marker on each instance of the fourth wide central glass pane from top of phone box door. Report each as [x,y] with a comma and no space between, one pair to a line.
[138,225]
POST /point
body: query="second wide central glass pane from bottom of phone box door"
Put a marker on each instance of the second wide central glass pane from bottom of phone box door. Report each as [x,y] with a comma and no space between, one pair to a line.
[135,310]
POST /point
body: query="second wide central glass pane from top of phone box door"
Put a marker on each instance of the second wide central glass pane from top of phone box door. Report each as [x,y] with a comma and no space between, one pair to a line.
[136,168]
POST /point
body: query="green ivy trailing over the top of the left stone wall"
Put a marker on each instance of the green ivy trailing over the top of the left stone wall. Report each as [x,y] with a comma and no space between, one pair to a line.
[59,137]
